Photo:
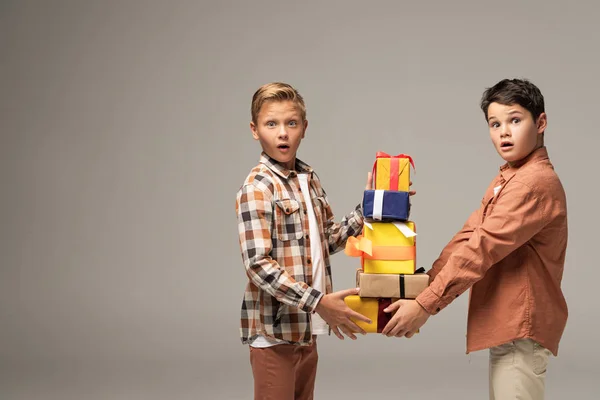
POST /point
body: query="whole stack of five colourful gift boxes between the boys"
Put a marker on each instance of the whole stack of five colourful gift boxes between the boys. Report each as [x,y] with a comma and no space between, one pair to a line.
[387,246]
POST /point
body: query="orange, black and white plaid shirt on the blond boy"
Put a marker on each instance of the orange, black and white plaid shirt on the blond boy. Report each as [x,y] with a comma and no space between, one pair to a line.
[275,245]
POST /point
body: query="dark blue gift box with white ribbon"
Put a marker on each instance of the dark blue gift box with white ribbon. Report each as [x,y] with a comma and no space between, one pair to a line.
[386,205]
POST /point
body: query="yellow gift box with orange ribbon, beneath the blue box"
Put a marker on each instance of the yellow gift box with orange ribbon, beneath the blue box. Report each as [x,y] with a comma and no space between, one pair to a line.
[392,252]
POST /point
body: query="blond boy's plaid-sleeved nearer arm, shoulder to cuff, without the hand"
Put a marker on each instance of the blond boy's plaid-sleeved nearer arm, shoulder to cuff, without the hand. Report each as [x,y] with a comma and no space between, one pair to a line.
[255,216]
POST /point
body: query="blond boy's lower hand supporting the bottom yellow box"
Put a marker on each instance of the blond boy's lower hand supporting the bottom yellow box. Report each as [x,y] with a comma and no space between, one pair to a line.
[337,314]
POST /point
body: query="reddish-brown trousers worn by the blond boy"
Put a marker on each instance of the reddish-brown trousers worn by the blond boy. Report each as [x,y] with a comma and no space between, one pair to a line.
[284,371]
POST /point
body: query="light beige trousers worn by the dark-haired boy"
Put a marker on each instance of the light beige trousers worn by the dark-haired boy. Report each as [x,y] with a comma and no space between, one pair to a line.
[518,370]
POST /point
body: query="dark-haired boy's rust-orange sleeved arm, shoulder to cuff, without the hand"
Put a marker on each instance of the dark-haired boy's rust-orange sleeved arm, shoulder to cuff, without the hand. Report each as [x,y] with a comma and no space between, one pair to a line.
[517,216]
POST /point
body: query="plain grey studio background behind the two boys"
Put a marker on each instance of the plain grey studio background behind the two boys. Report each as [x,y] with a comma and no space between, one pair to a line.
[124,138]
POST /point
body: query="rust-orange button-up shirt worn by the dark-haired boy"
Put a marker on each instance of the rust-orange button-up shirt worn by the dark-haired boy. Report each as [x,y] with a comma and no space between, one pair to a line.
[511,253]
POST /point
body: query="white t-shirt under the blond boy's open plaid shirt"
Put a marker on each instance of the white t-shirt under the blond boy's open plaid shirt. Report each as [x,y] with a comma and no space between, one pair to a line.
[318,324]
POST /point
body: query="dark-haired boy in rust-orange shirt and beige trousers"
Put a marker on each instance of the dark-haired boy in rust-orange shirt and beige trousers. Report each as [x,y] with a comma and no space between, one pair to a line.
[510,252]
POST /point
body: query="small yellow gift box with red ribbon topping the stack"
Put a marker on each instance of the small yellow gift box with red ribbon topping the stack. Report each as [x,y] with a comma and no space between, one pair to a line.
[392,172]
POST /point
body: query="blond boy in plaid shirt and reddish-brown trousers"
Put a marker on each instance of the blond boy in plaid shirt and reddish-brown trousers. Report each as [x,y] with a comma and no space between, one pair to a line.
[287,233]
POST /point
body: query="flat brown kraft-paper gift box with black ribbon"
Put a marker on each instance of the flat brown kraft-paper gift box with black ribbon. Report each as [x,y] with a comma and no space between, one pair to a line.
[392,285]
